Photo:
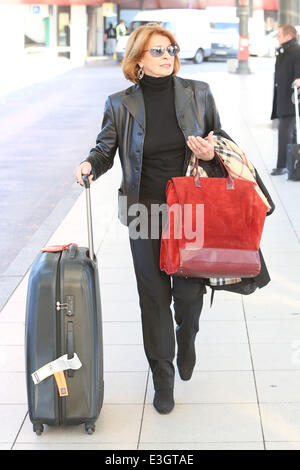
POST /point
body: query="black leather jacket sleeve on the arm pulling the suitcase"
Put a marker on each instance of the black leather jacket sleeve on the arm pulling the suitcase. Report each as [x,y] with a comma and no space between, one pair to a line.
[101,156]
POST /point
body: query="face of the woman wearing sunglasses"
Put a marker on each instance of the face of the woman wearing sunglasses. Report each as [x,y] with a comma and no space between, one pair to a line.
[157,66]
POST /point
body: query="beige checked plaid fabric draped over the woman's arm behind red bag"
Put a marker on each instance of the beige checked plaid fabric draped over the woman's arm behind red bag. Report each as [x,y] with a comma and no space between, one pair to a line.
[239,167]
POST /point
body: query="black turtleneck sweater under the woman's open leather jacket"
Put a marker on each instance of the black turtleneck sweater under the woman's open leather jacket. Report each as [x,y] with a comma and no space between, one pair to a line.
[164,144]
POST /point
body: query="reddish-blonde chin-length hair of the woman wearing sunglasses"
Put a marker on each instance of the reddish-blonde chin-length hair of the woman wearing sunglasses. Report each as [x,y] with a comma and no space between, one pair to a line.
[136,45]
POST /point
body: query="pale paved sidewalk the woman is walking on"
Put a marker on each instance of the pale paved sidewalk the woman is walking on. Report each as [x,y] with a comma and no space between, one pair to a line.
[244,393]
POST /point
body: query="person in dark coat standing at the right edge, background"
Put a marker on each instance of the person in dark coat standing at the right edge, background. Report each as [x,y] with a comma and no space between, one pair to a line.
[287,70]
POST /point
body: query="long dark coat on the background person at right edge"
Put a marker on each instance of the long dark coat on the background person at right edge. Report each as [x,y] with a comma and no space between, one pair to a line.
[287,69]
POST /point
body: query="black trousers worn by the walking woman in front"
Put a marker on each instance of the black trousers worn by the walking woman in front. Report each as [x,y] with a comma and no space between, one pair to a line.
[156,290]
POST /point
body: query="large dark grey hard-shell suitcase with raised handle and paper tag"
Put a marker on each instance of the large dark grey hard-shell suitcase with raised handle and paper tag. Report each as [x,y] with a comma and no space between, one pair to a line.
[63,334]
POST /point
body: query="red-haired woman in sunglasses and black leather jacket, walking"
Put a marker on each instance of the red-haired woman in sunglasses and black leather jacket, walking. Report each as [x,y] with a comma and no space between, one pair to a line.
[156,125]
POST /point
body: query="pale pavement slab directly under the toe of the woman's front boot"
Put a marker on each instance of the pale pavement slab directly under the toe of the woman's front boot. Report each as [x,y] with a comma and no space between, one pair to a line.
[202,423]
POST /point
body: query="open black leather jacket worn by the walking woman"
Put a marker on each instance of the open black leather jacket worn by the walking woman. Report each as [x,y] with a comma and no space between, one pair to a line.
[123,128]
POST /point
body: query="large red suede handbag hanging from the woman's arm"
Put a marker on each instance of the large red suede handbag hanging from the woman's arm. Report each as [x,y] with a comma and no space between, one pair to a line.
[214,227]
